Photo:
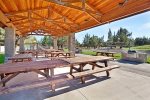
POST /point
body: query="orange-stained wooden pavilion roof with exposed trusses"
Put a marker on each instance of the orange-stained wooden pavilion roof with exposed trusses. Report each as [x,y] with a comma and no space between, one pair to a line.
[62,17]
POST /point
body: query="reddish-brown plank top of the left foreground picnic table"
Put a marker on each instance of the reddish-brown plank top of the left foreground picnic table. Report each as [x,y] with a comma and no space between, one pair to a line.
[30,66]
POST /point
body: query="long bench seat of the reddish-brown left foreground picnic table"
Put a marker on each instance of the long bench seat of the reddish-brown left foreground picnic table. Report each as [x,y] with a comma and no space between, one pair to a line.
[34,84]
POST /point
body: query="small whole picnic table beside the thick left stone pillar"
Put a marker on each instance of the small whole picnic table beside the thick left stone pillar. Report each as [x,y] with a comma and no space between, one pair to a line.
[21,58]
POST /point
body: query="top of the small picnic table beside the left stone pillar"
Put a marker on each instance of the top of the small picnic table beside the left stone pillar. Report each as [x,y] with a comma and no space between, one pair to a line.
[21,56]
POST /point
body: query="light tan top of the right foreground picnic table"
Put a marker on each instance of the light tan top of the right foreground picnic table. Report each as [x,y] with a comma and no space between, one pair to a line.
[78,60]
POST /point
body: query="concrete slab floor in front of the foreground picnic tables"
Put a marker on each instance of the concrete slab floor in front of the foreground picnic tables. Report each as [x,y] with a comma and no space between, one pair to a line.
[122,85]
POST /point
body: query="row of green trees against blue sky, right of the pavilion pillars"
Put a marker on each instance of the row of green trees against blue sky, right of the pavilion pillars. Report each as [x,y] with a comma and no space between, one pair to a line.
[121,37]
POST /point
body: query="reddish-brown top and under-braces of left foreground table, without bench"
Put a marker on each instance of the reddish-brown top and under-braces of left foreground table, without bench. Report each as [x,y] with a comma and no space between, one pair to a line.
[10,70]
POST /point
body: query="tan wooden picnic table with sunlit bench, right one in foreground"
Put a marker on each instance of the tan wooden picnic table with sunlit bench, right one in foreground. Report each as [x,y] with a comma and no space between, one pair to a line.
[83,61]
